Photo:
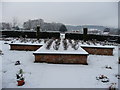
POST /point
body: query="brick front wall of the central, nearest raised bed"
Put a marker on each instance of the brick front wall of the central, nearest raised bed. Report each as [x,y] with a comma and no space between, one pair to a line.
[61,59]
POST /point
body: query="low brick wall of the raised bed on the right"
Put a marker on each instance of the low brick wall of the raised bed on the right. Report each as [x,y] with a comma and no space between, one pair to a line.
[99,51]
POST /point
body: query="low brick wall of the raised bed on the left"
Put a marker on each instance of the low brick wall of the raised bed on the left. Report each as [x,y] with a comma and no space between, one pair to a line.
[24,47]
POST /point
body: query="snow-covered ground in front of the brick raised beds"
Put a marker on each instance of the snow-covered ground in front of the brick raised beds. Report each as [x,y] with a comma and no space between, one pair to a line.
[43,75]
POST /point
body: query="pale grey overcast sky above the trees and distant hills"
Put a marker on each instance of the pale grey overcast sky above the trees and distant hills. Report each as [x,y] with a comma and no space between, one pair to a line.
[73,13]
